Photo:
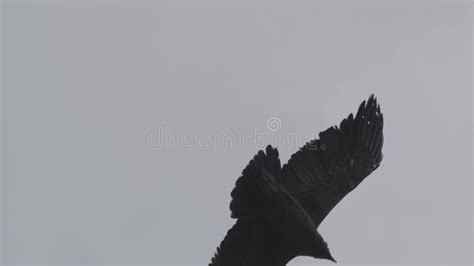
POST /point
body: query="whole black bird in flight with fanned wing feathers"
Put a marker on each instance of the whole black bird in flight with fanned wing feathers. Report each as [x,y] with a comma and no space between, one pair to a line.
[278,209]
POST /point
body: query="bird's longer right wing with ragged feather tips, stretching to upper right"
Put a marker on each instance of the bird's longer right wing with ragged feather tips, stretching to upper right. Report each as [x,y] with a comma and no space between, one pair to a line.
[322,172]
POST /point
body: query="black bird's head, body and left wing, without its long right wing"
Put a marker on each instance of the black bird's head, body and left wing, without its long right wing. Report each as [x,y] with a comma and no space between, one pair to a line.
[271,228]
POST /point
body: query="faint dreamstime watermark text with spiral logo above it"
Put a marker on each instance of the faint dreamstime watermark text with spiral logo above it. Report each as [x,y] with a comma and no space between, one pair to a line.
[164,139]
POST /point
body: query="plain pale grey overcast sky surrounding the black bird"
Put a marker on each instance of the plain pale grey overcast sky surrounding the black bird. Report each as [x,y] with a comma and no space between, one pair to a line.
[85,87]
